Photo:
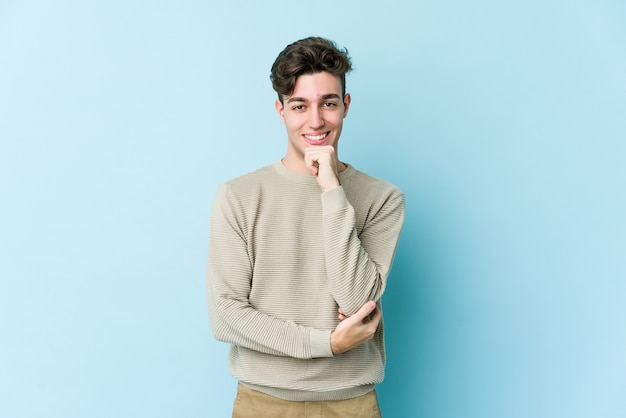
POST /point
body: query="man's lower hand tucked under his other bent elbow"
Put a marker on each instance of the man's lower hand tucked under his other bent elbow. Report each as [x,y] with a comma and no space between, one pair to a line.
[356,329]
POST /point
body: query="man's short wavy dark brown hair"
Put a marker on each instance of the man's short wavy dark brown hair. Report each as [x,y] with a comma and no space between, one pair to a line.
[308,56]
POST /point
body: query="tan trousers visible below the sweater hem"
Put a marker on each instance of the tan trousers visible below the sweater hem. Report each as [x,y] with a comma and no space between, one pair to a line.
[250,403]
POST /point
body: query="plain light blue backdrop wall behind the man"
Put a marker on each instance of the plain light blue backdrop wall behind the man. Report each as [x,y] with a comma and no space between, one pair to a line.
[503,122]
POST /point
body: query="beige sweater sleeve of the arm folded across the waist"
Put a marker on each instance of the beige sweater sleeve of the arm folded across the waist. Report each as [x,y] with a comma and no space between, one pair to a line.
[229,278]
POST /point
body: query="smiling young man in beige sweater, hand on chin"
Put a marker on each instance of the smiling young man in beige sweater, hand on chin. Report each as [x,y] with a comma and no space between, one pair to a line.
[299,256]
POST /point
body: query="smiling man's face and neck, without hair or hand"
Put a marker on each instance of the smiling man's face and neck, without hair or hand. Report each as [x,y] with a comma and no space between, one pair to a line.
[313,115]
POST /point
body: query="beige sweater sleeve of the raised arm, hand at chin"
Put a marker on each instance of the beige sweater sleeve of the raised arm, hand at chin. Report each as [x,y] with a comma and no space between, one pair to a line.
[358,264]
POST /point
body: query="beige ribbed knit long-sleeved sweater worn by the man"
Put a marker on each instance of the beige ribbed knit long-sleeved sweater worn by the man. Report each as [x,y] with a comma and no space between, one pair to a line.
[283,256]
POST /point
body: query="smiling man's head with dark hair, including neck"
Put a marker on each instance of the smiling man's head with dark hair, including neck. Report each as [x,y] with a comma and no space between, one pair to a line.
[309,77]
